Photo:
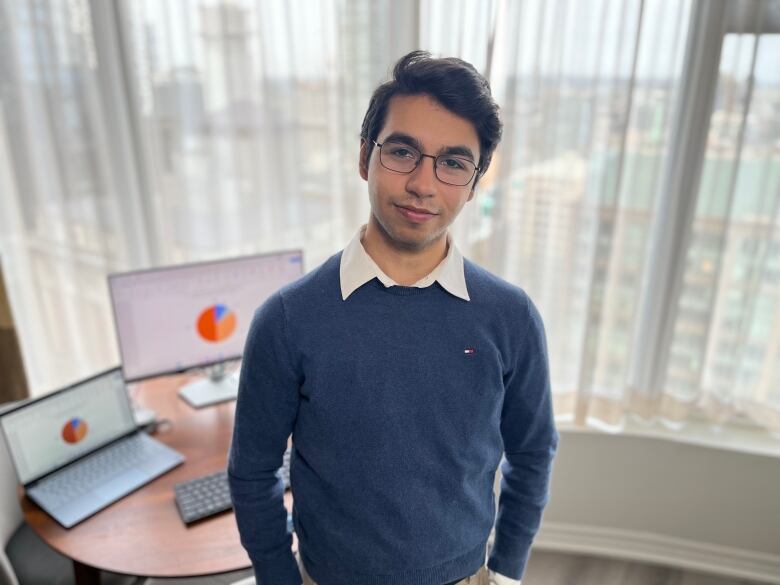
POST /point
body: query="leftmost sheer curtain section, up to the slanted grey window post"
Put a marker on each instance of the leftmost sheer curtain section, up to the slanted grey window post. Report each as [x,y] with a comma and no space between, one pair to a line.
[64,222]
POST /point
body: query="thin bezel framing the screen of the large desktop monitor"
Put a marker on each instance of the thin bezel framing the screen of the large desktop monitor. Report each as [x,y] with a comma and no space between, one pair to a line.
[173,268]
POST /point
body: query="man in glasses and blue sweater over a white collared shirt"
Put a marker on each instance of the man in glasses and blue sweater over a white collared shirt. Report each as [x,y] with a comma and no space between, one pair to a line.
[402,371]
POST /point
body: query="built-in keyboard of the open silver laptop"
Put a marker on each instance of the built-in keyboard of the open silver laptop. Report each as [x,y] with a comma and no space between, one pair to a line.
[95,470]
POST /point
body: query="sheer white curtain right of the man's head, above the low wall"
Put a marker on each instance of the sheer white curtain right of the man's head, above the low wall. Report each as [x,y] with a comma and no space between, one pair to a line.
[658,281]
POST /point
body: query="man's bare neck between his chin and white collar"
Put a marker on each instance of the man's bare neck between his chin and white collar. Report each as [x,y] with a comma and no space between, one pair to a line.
[404,266]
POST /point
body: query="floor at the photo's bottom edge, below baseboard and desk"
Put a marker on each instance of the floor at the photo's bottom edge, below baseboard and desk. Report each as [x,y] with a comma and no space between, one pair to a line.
[546,568]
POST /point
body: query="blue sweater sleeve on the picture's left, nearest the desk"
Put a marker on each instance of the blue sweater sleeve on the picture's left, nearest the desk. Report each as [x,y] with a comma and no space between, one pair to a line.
[265,414]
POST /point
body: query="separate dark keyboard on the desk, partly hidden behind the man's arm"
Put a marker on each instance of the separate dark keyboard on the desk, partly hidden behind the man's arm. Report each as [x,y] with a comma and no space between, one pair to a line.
[208,495]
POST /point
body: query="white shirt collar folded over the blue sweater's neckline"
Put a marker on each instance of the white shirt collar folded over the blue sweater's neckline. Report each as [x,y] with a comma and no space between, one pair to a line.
[357,268]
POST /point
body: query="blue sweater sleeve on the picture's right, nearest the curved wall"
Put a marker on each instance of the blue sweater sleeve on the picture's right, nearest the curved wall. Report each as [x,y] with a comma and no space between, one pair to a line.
[530,441]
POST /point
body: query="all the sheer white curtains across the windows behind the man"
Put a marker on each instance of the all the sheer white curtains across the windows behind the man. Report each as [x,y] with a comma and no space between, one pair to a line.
[147,133]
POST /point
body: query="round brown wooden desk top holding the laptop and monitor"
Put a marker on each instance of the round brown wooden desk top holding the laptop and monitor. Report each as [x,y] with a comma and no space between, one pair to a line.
[142,534]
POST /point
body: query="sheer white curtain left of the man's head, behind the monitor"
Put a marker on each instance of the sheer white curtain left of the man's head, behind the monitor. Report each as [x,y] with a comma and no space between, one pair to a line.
[150,133]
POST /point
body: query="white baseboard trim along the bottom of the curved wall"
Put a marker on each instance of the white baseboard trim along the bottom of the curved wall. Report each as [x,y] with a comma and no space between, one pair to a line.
[661,549]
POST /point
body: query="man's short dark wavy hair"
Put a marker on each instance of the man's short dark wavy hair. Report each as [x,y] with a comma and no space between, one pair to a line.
[452,82]
